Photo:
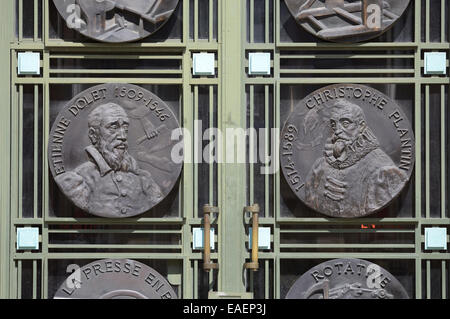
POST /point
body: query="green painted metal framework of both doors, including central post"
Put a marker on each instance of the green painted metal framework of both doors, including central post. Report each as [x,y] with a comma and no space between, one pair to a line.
[231,83]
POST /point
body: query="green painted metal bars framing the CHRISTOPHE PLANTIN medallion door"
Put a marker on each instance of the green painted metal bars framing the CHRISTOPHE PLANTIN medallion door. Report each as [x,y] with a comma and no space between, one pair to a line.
[413,76]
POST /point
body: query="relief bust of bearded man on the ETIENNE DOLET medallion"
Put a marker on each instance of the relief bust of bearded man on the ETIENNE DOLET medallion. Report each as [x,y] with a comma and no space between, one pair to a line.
[110,182]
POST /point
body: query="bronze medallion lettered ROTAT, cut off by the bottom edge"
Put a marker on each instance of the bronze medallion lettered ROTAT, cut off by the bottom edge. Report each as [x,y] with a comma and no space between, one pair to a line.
[347,279]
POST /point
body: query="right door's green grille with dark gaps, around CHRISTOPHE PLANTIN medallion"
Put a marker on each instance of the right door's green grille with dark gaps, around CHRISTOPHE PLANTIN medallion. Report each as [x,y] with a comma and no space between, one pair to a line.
[392,63]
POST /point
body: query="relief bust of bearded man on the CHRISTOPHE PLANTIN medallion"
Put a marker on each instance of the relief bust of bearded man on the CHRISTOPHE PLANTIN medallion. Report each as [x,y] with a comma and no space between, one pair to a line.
[355,177]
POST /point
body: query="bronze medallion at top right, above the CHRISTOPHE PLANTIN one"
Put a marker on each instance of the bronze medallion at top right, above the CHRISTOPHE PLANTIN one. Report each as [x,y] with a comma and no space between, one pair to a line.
[346,20]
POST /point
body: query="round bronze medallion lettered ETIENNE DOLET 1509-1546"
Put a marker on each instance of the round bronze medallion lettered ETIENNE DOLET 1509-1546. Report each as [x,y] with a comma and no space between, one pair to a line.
[110,150]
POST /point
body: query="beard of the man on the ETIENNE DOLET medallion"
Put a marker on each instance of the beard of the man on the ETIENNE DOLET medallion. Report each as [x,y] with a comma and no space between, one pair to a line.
[118,159]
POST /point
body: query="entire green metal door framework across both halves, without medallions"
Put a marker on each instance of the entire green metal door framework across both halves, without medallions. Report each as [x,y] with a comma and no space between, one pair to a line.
[229,186]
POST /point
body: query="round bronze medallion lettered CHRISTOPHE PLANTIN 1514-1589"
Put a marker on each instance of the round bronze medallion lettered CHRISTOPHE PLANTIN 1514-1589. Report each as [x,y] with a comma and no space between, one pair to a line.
[347,150]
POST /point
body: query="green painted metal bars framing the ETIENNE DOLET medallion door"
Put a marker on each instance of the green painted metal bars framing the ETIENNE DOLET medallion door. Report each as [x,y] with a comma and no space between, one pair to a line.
[186,260]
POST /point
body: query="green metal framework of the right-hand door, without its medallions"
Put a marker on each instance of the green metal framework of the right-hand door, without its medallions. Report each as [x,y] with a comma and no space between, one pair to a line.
[322,227]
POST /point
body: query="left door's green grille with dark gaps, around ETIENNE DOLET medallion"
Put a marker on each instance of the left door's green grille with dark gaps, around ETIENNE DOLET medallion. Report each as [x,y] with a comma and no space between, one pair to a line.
[160,238]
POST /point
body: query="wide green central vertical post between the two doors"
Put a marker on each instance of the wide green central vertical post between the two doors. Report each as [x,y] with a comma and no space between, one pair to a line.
[234,174]
